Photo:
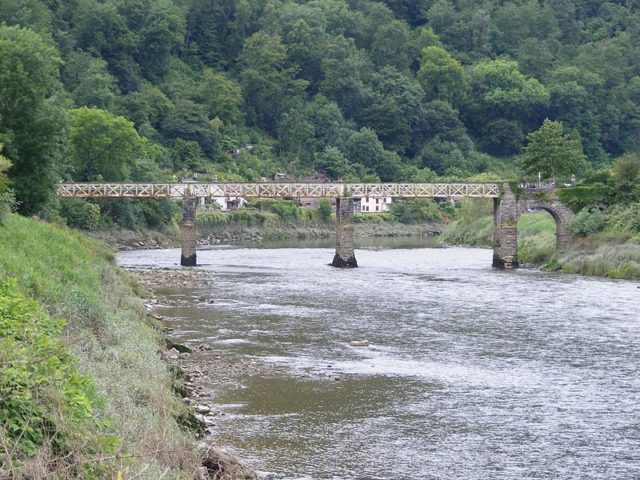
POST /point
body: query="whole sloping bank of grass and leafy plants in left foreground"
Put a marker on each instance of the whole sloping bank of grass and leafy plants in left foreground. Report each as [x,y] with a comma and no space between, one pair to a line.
[109,410]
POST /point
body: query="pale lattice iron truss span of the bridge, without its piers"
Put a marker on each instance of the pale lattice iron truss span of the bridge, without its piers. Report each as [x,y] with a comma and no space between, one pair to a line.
[275,190]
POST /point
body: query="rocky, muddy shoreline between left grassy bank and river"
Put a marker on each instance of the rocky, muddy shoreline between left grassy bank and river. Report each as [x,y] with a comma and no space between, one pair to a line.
[200,371]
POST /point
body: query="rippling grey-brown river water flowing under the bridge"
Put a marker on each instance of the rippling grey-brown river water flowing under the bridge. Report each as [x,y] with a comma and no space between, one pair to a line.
[470,373]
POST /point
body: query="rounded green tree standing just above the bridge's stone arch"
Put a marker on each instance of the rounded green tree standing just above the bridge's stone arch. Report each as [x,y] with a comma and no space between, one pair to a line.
[551,152]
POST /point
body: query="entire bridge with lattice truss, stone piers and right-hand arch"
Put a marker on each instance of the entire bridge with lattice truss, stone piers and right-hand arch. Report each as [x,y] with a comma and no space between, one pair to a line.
[507,206]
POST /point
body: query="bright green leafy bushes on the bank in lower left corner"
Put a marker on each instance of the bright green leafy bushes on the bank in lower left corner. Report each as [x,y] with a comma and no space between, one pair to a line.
[44,400]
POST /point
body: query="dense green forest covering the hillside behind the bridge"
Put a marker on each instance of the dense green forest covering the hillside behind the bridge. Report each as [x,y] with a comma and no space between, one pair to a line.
[399,90]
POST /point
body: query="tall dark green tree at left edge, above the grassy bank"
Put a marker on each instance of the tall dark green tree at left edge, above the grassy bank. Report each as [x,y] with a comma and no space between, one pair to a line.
[32,122]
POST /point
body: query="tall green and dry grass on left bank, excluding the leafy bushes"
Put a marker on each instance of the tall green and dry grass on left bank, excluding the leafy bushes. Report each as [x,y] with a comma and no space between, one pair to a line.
[76,278]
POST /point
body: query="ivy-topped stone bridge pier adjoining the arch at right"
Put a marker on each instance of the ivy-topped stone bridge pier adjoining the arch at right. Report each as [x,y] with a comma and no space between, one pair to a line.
[505,230]
